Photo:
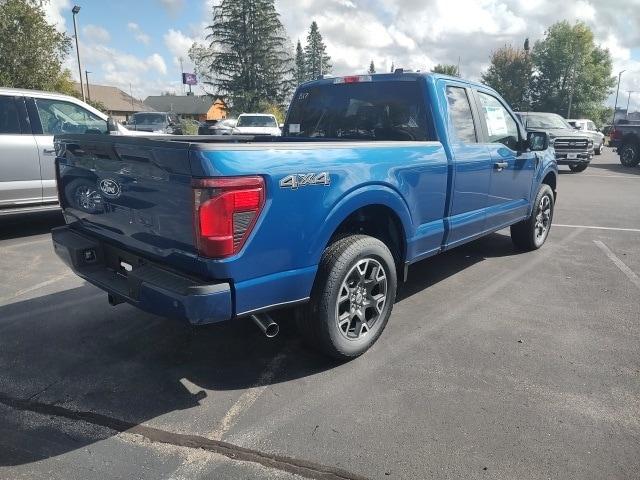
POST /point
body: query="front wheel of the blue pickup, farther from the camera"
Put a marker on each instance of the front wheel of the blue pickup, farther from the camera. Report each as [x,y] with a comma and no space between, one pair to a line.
[526,234]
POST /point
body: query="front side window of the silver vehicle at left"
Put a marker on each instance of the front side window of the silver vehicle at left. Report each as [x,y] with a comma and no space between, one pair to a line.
[58,117]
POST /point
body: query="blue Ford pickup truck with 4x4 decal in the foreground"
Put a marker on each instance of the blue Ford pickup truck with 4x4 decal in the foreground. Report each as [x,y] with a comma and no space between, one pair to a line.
[372,174]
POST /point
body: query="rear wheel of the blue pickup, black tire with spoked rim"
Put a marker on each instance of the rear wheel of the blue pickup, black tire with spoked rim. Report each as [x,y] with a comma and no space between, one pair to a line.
[319,321]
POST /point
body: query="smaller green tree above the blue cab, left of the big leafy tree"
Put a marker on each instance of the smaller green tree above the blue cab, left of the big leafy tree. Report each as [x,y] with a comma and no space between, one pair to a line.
[510,75]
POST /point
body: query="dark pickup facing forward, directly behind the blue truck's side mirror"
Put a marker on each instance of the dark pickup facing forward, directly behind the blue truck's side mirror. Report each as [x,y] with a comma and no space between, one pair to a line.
[571,147]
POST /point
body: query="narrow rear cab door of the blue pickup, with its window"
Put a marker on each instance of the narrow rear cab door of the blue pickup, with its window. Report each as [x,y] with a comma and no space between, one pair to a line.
[471,167]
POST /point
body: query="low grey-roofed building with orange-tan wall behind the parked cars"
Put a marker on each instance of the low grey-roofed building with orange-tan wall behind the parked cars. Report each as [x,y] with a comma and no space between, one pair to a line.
[199,108]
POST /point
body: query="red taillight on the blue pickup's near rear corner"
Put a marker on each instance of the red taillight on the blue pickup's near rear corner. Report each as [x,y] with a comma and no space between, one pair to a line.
[225,211]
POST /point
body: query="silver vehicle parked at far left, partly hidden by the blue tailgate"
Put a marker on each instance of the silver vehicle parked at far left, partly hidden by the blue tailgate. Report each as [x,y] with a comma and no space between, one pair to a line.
[28,121]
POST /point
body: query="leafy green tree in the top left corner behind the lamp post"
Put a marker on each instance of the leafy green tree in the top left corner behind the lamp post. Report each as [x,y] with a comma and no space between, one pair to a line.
[31,50]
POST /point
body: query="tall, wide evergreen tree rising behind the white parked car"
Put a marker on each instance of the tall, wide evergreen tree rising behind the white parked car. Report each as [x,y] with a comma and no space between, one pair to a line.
[247,60]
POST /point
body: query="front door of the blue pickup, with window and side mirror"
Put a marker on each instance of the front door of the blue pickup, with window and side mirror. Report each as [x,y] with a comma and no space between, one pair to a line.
[512,169]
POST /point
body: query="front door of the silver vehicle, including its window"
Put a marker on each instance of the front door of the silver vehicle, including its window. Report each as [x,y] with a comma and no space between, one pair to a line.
[55,117]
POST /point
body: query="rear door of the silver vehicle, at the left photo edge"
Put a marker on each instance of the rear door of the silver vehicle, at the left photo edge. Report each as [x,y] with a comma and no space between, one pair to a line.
[20,182]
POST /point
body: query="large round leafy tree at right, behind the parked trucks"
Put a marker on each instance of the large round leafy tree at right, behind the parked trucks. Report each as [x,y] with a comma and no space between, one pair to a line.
[572,74]
